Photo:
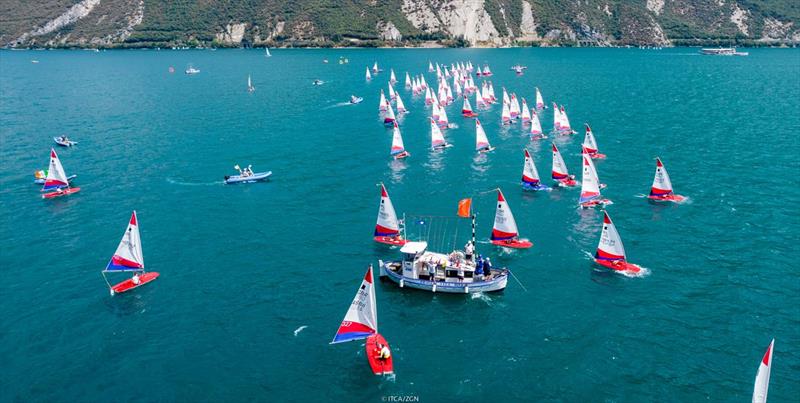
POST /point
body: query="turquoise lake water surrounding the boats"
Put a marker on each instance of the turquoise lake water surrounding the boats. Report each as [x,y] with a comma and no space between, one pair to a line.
[243,267]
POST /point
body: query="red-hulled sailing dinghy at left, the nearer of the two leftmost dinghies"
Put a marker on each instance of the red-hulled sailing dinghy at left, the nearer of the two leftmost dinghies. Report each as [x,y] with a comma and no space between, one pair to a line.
[129,258]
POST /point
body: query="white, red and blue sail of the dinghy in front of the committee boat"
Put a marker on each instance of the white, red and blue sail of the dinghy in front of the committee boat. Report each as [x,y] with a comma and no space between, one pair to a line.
[361,319]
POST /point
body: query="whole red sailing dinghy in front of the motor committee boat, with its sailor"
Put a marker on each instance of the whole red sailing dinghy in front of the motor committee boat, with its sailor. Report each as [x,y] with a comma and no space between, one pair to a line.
[361,322]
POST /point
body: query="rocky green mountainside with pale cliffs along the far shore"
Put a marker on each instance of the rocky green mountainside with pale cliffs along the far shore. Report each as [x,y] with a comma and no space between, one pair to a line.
[373,22]
